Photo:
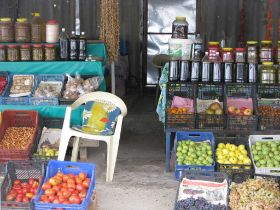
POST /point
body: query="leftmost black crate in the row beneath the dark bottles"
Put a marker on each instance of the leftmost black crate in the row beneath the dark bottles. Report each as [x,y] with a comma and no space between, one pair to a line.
[181,121]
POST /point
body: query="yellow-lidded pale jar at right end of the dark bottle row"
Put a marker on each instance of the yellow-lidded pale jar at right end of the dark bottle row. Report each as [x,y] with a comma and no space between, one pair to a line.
[267,73]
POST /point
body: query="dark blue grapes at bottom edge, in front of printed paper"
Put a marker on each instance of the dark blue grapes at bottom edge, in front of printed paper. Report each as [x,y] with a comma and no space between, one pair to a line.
[197,204]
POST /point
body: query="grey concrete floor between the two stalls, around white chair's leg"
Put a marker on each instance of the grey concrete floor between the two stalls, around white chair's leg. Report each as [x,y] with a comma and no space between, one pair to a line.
[140,181]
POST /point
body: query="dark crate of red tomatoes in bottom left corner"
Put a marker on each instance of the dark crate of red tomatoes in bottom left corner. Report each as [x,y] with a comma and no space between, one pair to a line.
[21,183]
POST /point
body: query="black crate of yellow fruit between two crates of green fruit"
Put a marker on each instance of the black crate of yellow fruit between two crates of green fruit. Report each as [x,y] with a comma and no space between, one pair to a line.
[233,157]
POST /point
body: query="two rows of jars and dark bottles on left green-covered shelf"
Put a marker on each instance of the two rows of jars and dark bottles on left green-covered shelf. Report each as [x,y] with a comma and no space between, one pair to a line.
[39,40]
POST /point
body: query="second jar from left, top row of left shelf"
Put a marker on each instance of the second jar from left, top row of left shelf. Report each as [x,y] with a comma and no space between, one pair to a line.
[22,30]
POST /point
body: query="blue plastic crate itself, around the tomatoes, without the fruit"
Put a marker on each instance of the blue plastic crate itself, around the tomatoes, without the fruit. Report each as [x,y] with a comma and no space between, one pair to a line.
[67,167]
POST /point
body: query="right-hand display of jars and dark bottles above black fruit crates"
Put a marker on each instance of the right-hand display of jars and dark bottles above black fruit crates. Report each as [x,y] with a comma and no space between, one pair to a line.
[225,88]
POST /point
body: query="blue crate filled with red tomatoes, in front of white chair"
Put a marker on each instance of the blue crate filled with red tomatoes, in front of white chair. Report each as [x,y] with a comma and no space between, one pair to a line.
[67,185]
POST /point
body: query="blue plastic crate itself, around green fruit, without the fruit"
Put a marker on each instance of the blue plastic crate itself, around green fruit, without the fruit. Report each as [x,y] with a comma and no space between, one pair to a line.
[196,137]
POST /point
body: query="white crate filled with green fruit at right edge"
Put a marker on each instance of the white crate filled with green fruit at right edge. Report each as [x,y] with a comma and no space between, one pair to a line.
[265,153]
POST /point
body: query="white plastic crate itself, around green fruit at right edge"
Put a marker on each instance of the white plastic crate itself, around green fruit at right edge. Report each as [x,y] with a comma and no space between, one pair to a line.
[252,140]
